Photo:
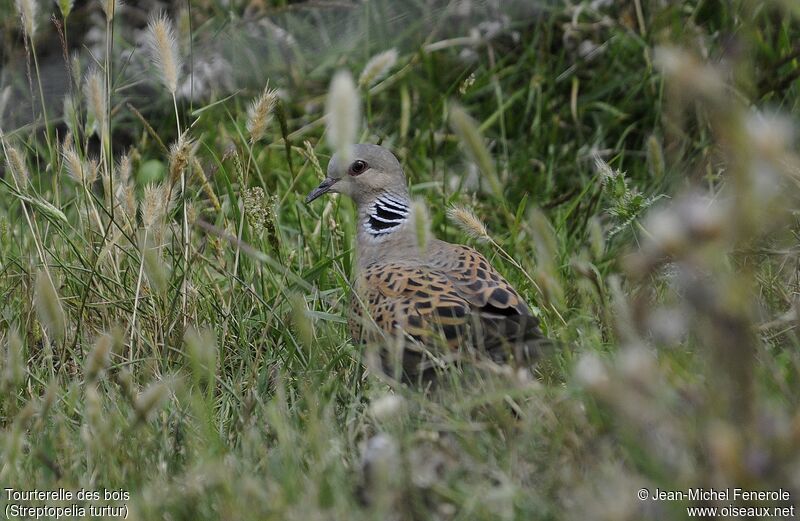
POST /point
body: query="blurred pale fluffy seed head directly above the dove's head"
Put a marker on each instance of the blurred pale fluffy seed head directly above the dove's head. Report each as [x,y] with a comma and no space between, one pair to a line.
[344,114]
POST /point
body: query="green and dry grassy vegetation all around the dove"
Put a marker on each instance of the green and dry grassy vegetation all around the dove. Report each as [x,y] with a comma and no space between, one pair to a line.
[173,315]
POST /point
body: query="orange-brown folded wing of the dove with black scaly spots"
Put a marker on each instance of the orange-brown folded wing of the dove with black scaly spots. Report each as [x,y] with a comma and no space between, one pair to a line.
[422,301]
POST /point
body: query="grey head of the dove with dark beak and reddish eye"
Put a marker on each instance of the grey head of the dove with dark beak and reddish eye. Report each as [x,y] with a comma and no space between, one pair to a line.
[370,170]
